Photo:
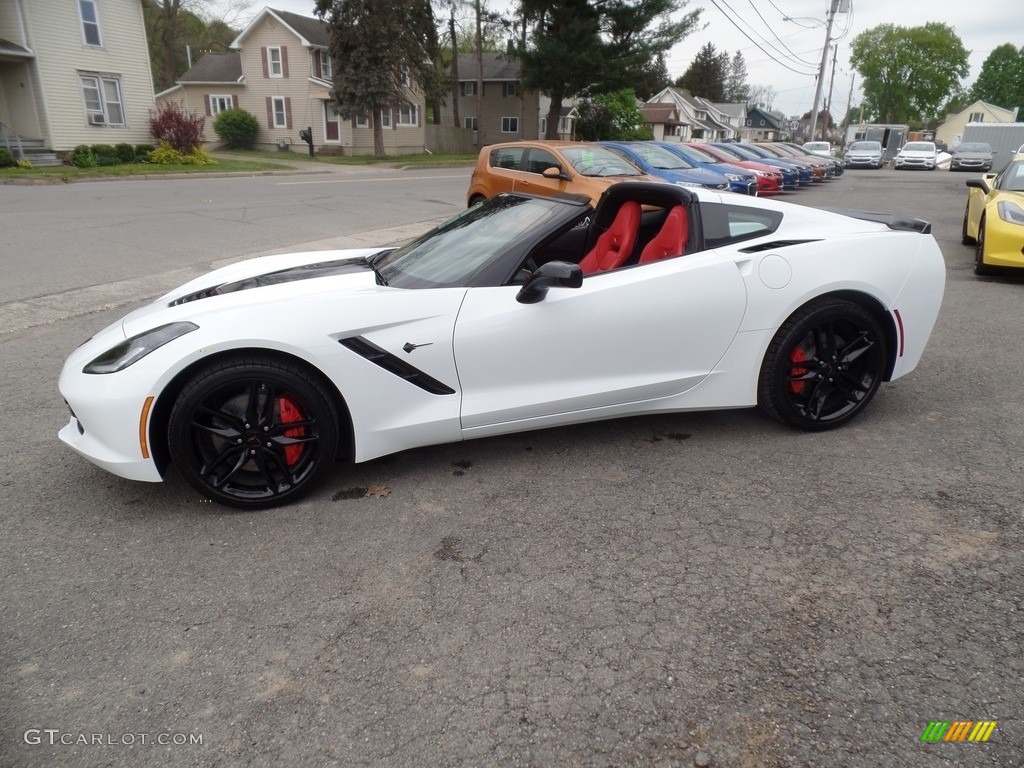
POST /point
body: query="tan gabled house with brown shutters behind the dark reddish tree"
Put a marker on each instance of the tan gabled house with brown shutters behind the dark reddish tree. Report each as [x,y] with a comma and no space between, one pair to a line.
[280,71]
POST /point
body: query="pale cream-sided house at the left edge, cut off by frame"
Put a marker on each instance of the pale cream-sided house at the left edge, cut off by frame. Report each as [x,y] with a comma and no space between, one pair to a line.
[74,73]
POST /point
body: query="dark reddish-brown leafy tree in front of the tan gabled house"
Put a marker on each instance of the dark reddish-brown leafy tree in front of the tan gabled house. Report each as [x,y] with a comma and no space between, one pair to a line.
[376,47]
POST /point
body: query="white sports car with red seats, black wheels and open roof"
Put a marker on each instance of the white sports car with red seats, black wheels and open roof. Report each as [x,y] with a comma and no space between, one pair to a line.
[520,314]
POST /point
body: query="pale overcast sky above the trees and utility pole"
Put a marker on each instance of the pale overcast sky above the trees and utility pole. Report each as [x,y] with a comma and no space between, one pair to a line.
[786,55]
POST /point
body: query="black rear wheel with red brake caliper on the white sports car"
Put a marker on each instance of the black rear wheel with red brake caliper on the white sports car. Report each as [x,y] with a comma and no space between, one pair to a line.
[824,367]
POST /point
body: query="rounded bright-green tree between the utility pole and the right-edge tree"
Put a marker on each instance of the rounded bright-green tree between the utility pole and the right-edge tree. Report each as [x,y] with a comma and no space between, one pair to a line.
[908,73]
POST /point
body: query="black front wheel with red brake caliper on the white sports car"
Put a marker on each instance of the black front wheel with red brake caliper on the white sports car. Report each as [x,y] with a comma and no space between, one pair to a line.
[253,433]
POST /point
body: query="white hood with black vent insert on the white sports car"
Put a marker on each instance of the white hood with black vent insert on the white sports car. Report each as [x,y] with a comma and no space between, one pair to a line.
[257,282]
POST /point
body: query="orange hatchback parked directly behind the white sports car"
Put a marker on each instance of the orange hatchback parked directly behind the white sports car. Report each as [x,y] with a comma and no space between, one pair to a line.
[549,168]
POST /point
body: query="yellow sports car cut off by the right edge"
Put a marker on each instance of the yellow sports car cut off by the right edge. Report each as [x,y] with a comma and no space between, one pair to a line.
[994,221]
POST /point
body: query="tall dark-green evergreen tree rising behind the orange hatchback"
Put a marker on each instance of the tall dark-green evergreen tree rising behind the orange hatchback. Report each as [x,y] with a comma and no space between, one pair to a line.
[601,48]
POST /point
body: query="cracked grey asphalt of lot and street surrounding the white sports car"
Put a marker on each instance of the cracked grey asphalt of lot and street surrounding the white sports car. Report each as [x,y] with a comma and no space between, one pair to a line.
[702,589]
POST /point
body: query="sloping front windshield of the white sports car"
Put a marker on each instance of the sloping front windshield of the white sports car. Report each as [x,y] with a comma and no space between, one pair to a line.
[451,254]
